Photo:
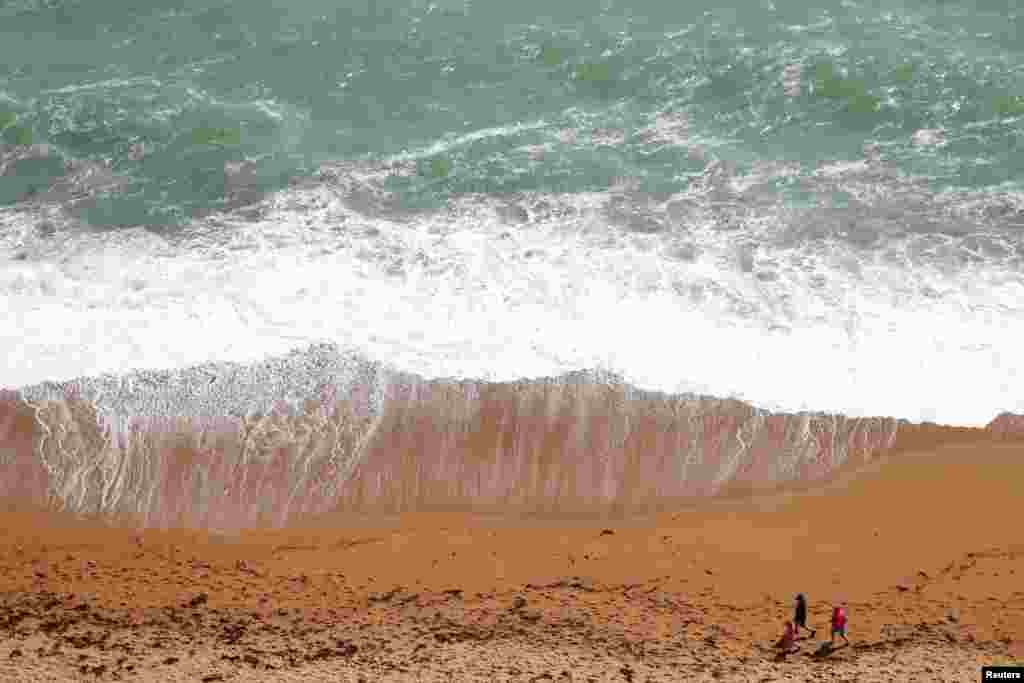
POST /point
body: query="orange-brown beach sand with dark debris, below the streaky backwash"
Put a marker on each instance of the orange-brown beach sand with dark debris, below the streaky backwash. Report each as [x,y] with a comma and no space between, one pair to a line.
[925,547]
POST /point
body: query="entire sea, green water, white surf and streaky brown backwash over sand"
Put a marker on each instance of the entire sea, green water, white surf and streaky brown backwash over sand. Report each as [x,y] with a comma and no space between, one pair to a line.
[272,261]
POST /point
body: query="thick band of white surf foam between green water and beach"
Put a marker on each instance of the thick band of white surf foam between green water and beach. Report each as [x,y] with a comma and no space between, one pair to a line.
[464,293]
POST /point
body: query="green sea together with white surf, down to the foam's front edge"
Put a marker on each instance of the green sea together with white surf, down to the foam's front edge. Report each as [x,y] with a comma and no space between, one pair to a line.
[804,205]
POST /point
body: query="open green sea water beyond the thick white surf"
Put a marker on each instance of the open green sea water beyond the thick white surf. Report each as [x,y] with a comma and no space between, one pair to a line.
[472,90]
